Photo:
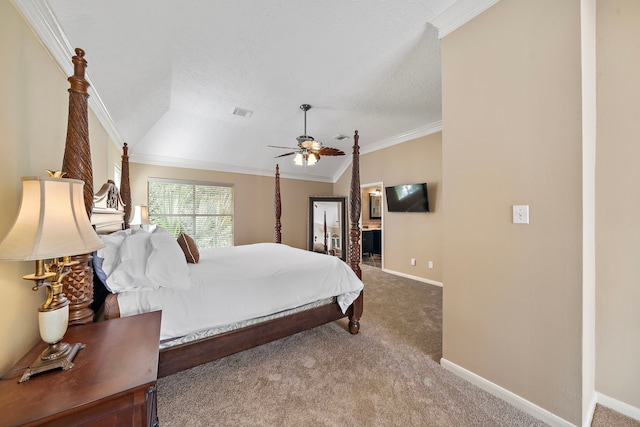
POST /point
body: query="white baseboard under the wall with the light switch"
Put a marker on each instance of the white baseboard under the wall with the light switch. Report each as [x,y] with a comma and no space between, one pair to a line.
[504,394]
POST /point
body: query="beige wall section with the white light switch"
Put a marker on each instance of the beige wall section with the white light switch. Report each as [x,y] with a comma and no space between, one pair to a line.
[512,298]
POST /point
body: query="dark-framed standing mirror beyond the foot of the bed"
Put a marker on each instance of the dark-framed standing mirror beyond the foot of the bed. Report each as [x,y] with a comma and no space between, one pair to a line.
[327,226]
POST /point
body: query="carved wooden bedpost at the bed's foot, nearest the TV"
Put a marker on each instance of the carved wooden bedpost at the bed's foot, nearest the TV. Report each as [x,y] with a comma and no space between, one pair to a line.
[355,203]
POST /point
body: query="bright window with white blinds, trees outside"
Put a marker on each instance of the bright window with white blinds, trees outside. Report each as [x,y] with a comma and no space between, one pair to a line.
[202,210]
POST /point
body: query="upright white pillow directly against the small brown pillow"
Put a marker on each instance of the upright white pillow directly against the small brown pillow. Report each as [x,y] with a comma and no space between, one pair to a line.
[166,264]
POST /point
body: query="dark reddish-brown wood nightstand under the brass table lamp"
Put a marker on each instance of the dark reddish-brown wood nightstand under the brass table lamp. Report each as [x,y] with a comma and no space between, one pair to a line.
[112,383]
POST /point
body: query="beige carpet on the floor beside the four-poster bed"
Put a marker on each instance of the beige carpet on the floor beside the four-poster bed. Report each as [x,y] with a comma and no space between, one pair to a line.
[387,375]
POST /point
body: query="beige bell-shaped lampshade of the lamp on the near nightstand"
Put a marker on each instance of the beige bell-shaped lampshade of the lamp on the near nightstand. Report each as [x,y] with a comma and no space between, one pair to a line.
[52,222]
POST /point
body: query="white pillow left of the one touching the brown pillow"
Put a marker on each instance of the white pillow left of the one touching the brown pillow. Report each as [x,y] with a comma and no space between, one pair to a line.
[129,273]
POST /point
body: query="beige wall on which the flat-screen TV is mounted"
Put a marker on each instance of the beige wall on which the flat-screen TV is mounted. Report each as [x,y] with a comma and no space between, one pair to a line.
[407,235]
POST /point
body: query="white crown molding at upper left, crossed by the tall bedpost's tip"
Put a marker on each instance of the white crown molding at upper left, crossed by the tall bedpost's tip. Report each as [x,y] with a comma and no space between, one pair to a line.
[39,16]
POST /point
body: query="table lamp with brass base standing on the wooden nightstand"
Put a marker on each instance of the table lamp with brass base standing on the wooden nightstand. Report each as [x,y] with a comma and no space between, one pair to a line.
[52,224]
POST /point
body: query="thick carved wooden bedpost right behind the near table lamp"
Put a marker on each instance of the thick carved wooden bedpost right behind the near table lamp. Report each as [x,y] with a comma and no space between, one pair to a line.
[76,163]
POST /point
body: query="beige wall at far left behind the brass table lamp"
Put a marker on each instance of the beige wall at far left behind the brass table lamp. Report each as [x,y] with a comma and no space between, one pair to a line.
[34,105]
